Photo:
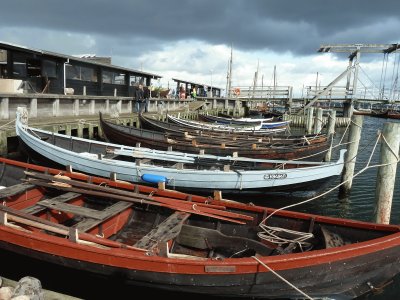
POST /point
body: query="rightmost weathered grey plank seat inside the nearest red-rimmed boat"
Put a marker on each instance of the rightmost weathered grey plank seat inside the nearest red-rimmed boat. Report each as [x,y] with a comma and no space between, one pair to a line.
[165,231]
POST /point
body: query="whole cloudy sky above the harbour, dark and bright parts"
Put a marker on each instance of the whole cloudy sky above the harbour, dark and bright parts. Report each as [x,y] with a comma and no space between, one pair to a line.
[192,39]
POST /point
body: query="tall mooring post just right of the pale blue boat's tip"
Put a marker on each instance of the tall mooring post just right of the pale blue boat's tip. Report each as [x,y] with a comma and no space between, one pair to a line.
[351,154]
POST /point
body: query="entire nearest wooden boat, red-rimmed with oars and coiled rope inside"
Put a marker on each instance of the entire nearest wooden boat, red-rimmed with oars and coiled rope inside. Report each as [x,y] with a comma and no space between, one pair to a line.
[168,240]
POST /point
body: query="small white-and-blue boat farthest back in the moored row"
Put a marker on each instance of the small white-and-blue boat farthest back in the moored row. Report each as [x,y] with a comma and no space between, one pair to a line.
[265,123]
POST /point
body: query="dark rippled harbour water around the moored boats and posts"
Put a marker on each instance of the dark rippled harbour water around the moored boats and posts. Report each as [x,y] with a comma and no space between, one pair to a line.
[358,205]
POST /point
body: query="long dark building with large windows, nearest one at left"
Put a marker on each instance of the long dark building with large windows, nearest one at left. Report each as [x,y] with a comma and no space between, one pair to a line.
[40,71]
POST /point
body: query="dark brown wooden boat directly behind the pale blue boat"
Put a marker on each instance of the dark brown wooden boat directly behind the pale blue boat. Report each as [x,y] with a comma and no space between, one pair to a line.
[313,149]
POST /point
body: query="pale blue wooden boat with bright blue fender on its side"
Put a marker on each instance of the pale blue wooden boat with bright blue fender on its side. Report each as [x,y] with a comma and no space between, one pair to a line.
[203,174]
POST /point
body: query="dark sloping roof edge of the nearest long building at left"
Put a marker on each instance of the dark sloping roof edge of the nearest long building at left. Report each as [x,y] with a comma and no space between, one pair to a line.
[9,46]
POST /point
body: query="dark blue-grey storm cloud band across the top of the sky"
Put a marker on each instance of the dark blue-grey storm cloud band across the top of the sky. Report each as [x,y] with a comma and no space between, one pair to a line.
[279,25]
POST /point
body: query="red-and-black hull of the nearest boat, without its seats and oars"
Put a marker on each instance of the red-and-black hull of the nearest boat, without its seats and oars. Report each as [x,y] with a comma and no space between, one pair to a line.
[350,270]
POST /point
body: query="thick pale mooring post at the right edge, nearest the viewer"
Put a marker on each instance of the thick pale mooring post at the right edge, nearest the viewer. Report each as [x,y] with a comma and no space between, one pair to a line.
[387,172]
